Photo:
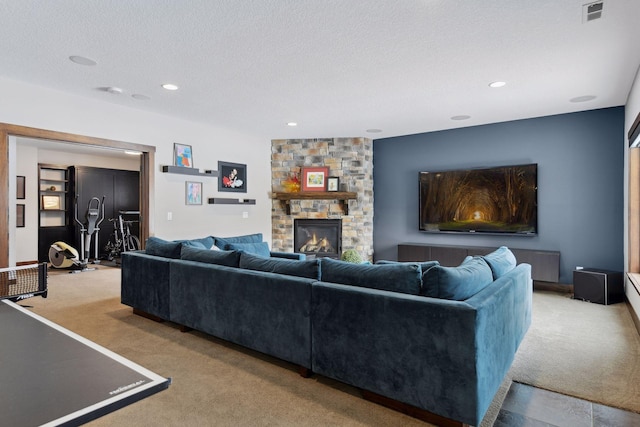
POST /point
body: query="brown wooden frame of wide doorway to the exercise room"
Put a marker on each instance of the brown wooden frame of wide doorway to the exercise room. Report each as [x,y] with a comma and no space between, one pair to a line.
[147,160]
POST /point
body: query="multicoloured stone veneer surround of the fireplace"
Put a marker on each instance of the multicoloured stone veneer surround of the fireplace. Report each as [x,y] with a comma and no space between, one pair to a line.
[350,159]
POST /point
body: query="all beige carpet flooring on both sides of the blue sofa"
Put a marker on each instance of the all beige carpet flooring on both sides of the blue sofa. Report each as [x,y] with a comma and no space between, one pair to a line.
[218,383]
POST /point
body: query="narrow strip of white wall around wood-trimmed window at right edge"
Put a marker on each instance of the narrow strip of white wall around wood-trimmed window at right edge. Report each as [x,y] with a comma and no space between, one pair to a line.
[631,111]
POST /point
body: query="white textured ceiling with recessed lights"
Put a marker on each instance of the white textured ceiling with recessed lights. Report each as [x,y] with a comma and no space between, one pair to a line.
[336,67]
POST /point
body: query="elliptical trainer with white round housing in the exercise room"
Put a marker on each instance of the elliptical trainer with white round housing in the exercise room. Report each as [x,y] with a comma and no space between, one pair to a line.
[62,255]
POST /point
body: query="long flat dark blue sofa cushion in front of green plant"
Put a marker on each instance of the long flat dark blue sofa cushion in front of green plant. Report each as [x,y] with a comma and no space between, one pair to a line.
[396,277]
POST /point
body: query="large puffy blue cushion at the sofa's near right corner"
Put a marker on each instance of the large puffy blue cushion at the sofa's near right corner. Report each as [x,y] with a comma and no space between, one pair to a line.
[457,283]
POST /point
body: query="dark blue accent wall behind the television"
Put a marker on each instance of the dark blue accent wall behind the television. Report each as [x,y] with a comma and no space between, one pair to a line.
[580,159]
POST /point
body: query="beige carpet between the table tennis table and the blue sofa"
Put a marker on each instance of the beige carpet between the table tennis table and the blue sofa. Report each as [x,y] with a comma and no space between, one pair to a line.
[214,382]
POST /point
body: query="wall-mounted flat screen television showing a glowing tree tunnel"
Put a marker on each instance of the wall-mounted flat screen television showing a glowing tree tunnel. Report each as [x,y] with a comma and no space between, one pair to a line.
[500,200]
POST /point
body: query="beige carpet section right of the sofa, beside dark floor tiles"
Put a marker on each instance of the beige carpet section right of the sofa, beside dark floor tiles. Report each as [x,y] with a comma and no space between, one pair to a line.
[581,349]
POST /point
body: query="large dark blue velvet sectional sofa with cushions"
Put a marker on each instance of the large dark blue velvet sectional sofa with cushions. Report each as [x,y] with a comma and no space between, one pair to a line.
[440,339]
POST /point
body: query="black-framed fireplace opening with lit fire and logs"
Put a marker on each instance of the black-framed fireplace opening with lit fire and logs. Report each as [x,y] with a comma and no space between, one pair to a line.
[319,237]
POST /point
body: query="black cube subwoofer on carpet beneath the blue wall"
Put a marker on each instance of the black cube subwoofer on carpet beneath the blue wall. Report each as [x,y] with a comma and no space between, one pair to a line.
[598,286]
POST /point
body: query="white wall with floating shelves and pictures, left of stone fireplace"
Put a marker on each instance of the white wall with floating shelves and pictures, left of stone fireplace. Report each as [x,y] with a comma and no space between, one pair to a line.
[33,106]
